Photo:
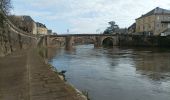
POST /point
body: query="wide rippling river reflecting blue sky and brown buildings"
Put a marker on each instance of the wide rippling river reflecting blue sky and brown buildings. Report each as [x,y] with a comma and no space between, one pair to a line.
[117,73]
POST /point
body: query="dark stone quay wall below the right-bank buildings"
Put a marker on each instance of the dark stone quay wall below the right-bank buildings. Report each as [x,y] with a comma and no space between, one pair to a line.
[144,41]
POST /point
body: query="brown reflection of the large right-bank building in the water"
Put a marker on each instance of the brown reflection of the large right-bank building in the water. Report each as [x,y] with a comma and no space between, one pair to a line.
[155,65]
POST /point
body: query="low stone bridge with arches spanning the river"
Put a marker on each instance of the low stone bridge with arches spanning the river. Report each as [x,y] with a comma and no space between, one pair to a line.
[69,40]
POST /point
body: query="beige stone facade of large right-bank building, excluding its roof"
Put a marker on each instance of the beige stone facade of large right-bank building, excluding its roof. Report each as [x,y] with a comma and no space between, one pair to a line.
[152,23]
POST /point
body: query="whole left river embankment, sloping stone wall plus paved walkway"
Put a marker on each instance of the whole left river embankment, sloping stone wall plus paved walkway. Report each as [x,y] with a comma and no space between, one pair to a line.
[24,75]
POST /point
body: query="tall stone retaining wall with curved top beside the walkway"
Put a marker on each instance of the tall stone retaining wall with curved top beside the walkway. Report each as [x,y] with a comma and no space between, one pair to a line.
[12,39]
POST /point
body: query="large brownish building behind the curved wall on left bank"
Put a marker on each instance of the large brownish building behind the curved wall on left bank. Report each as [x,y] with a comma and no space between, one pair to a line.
[25,23]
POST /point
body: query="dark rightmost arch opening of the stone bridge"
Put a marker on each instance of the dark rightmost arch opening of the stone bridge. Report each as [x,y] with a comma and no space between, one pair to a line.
[108,42]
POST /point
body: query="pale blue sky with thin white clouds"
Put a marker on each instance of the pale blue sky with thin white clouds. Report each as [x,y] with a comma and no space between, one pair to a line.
[85,16]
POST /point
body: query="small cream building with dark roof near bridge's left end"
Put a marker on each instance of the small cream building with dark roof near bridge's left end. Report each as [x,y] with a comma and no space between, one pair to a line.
[41,29]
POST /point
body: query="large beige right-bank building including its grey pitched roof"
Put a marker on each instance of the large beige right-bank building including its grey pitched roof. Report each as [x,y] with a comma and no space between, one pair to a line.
[154,22]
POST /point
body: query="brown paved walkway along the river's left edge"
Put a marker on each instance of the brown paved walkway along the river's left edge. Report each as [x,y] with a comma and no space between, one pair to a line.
[25,76]
